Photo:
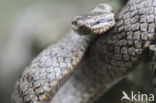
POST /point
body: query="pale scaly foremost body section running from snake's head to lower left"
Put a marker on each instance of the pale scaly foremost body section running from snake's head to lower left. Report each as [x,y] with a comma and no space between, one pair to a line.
[50,69]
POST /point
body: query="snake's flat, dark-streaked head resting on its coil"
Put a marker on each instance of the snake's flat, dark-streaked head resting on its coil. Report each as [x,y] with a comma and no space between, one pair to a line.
[97,21]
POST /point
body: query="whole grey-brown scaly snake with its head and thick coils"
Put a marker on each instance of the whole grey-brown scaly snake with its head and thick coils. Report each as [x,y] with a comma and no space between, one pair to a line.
[102,49]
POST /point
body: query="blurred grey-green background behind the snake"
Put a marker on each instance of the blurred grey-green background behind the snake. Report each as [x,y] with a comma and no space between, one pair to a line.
[29,26]
